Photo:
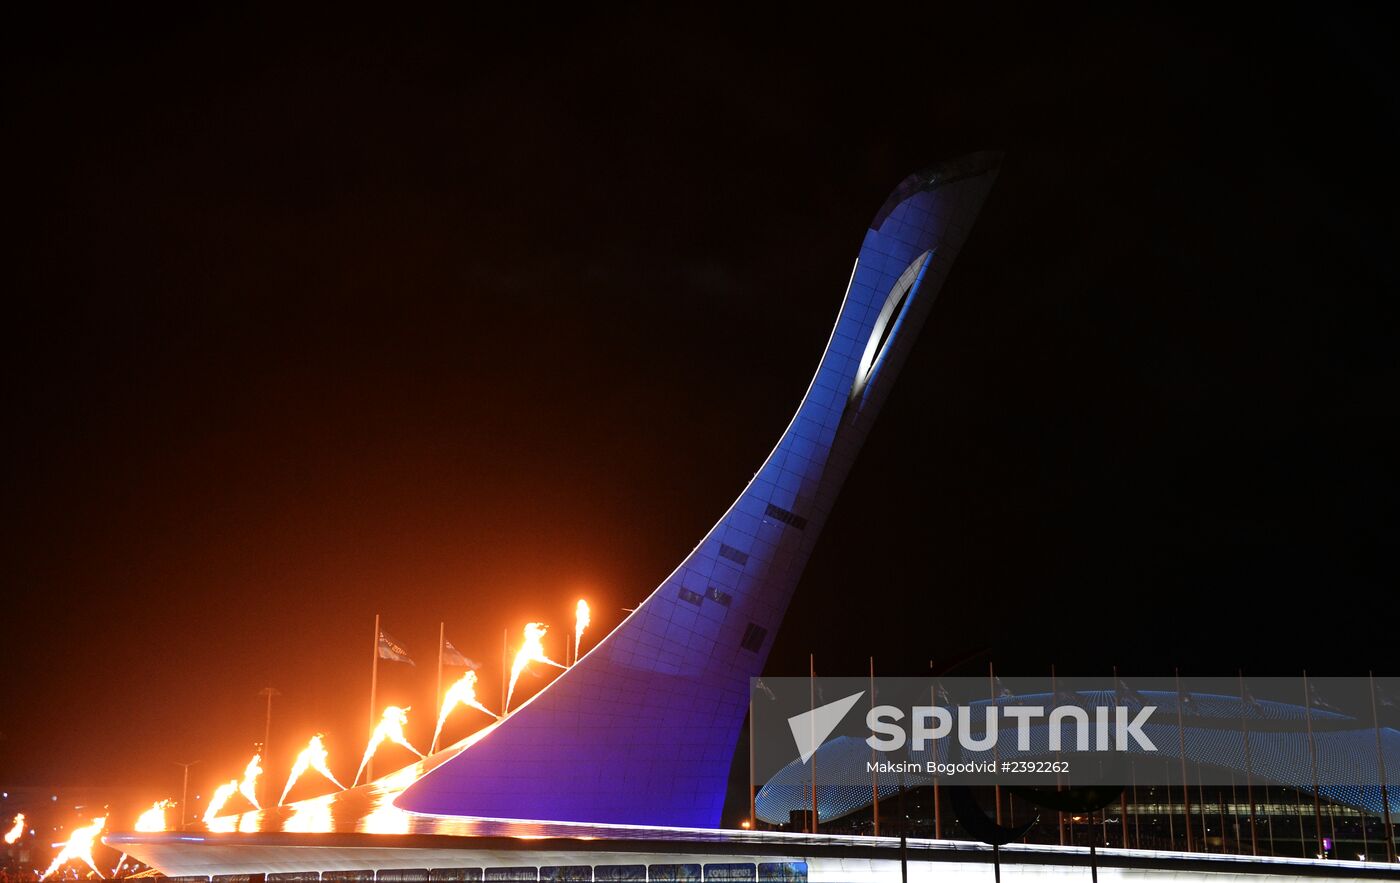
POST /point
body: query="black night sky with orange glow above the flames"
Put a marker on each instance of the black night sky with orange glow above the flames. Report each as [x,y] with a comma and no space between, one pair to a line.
[460,320]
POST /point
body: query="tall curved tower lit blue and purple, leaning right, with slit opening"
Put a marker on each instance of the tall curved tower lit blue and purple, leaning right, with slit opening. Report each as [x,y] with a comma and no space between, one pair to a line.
[643,728]
